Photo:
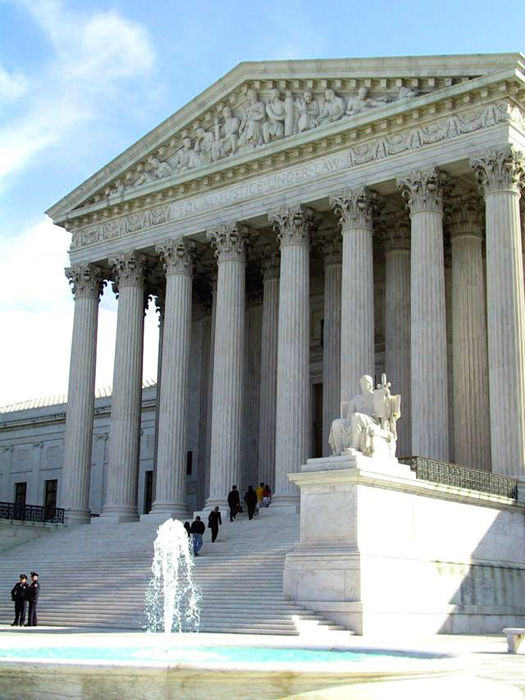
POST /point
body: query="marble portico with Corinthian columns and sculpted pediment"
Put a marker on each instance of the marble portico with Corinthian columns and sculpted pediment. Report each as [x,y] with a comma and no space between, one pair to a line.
[300,224]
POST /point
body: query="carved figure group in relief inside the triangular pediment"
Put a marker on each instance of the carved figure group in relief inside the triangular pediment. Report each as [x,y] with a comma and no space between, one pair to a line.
[258,121]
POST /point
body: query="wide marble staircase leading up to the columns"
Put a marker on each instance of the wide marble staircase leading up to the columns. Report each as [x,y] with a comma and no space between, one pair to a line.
[95,576]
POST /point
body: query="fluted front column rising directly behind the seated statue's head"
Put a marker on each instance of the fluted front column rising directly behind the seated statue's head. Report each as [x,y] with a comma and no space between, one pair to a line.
[355,209]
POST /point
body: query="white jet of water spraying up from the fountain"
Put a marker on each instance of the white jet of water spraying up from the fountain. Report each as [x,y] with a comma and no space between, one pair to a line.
[172,599]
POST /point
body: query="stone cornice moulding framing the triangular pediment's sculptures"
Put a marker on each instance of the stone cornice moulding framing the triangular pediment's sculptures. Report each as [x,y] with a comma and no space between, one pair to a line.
[497,84]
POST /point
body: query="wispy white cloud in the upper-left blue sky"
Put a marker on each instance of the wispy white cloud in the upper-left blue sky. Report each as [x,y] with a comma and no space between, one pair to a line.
[93,55]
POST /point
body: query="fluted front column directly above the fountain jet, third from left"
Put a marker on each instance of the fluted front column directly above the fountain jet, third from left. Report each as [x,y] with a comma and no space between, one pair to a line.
[170,486]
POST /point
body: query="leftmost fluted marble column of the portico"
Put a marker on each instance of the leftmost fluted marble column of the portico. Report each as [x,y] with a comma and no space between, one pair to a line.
[86,282]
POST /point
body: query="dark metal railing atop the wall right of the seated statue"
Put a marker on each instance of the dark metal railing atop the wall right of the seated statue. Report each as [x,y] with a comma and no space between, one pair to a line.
[464,477]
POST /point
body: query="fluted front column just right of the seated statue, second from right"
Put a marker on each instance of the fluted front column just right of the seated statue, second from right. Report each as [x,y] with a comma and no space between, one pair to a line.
[424,192]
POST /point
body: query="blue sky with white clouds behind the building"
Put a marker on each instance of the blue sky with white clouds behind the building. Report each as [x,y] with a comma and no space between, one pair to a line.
[81,81]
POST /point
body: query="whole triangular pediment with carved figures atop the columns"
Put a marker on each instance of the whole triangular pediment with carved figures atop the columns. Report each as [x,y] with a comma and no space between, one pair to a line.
[261,107]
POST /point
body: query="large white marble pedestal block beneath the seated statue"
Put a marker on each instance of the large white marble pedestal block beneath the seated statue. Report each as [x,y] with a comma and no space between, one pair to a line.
[382,552]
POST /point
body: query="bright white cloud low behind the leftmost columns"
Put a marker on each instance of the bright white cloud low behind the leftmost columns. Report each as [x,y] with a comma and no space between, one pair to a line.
[37,310]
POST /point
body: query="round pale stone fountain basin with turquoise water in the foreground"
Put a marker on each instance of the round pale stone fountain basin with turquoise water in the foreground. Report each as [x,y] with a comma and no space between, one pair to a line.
[106,665]
